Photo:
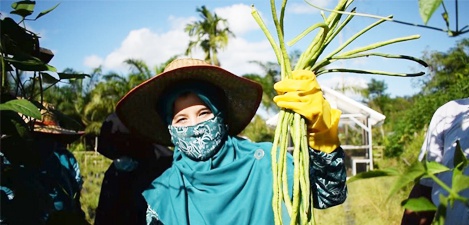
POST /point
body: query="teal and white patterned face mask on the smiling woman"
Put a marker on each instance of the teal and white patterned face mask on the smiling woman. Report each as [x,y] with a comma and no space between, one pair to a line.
[202,141]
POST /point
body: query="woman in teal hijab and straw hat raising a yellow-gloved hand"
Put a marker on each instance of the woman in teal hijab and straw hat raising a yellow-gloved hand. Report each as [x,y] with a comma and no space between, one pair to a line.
[217,177]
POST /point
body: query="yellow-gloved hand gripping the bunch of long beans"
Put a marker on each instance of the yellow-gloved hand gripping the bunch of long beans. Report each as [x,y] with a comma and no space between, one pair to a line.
[303,95]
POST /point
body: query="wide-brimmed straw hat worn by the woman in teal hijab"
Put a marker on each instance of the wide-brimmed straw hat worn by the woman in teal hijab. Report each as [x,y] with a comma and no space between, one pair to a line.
[138,108]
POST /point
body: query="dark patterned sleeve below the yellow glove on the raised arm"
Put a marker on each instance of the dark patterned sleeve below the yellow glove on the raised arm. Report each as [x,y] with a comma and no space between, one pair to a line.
[328,178]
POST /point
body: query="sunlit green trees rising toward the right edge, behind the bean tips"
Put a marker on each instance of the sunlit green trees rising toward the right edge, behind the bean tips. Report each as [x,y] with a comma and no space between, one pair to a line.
[449,80]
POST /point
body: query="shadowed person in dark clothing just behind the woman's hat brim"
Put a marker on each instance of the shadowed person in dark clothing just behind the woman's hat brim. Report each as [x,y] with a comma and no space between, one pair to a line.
[136,163]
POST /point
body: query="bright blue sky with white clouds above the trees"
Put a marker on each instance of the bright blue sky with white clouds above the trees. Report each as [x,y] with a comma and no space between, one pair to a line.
[84,34]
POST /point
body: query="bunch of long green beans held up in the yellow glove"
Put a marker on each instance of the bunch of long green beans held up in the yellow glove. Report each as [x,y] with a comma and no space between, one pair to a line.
[292,126]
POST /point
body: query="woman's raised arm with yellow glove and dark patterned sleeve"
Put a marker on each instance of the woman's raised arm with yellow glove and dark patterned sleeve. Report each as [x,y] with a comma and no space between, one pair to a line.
[303,95]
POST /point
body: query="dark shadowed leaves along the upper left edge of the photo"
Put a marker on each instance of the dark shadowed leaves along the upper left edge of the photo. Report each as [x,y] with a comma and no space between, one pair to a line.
[25,72]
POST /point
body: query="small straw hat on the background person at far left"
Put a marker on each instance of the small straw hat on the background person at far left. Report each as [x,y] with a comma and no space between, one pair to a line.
[49,125]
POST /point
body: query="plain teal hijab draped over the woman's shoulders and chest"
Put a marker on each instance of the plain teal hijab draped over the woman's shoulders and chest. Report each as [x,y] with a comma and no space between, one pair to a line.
[232,187]
